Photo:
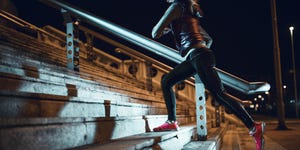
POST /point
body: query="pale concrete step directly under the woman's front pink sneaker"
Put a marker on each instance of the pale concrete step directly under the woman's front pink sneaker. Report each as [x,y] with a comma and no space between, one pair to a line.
[149,140]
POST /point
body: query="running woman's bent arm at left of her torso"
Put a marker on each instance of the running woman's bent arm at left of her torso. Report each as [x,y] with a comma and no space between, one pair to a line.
[173,12]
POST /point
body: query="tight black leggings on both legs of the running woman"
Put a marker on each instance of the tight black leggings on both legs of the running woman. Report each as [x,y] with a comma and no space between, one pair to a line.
[201,61]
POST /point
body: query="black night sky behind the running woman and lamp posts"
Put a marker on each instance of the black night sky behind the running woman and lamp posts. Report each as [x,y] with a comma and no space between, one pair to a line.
[241,30]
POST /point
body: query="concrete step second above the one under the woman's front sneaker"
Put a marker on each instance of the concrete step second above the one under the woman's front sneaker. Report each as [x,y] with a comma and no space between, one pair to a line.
[41,105]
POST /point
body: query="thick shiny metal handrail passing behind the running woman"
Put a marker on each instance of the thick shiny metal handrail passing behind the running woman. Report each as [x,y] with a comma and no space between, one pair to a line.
[153,46]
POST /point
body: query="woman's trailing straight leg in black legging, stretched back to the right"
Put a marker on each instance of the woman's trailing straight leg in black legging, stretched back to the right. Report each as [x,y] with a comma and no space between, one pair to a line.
[204,63]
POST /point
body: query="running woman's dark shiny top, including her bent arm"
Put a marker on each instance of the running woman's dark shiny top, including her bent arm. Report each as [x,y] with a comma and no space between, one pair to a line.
[183,18]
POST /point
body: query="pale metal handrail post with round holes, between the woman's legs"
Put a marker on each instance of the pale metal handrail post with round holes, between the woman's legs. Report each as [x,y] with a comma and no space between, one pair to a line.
[200,109]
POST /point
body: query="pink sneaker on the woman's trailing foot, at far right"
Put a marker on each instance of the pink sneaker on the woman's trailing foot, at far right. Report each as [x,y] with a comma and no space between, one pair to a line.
[258,135]
